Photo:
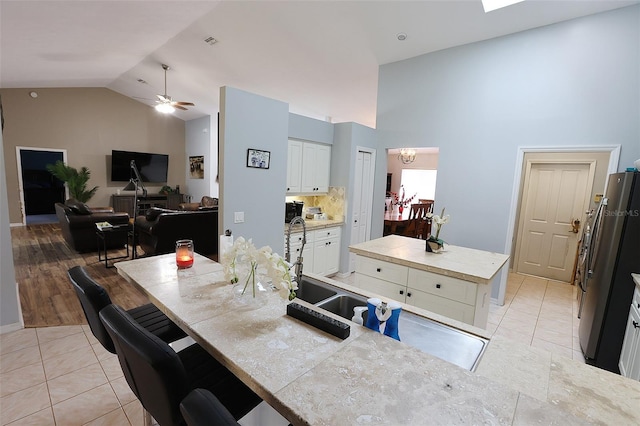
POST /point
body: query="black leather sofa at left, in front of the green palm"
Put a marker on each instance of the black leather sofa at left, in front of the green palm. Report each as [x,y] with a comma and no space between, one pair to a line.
[78,224]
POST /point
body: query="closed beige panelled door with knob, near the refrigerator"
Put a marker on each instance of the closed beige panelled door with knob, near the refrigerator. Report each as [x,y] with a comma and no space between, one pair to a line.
[554,196]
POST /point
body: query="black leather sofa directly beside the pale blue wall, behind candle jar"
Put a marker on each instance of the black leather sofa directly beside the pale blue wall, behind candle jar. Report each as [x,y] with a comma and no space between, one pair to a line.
[158,230]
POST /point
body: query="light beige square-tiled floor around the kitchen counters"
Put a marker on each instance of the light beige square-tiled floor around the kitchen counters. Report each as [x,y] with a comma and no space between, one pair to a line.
[63,376]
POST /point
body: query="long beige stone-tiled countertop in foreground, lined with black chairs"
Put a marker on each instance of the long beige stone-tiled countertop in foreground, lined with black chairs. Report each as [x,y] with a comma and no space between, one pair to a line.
[311,377]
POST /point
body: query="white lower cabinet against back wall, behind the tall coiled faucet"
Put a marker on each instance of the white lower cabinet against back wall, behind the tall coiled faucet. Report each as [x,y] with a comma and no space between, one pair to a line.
[321,254]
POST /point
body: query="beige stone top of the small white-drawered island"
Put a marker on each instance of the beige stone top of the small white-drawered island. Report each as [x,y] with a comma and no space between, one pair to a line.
[467,264]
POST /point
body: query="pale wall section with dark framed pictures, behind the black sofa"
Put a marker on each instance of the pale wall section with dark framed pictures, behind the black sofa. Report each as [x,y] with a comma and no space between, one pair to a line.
[201,136]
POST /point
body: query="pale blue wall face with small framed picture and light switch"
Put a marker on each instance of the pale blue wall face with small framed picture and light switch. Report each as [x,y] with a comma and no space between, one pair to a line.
[253,121]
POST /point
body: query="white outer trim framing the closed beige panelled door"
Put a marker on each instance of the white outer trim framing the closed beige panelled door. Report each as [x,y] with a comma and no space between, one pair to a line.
[614,159]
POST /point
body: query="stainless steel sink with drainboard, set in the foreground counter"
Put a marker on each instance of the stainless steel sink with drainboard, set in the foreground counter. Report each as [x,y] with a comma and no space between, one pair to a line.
[444,342]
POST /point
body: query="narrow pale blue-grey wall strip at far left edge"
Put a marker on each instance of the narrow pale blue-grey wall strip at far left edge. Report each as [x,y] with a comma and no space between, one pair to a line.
[10,317]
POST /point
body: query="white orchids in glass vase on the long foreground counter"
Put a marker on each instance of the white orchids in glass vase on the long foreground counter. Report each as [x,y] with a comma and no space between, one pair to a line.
[257,267]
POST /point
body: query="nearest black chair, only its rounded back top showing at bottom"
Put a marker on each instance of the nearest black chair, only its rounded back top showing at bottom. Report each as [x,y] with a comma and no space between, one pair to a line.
[202,408]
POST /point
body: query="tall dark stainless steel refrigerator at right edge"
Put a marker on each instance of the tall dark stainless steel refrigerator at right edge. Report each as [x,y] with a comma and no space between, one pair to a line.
[609,286]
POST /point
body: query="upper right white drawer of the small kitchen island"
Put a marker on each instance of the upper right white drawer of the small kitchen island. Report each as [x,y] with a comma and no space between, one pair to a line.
[440,285]
